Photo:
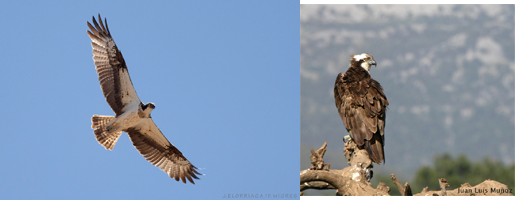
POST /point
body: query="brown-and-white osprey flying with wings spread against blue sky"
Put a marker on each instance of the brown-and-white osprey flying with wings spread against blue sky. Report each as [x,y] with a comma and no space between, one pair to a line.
[132,116]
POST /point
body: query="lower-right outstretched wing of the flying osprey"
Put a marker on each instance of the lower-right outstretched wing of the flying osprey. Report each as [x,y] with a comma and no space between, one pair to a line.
[154,146]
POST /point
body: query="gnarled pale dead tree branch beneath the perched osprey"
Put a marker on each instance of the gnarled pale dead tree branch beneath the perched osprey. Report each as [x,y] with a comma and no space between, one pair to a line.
[354,179]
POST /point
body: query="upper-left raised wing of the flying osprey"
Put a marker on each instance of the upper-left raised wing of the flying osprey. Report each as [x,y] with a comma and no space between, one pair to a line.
[111,68]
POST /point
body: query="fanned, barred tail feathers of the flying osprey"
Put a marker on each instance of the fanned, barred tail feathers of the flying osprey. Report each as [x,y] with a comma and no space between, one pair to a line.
[106,139]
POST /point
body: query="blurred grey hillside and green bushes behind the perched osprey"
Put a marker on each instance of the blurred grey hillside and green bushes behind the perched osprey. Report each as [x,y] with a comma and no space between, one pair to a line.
[448,73]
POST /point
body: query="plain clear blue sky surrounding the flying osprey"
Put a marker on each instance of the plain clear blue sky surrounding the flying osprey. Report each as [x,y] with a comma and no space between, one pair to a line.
[224,77]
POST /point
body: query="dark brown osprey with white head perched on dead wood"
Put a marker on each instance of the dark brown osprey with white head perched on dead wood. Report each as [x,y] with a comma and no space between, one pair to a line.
[362,105]
